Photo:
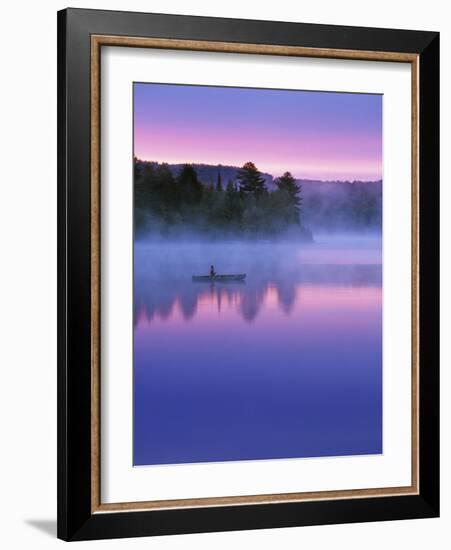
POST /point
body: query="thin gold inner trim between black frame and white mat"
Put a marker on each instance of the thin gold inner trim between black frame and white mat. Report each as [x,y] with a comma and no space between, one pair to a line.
[97,41]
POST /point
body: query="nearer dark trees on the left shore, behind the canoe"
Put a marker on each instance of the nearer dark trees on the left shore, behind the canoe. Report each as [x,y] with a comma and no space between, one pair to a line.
[243,205]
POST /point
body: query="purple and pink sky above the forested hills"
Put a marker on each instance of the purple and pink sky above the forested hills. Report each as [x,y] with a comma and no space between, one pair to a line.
[313,135]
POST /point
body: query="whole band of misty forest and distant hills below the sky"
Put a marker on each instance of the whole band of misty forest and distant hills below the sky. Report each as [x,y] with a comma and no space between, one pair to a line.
[226,201]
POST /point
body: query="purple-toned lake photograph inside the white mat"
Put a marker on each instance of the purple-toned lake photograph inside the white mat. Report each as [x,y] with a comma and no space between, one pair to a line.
[257,274]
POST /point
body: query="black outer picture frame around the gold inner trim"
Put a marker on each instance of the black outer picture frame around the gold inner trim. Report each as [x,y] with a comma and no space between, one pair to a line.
[75,518]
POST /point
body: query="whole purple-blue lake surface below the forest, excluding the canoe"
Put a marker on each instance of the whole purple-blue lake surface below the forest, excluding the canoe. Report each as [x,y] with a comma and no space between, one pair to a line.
[286,364]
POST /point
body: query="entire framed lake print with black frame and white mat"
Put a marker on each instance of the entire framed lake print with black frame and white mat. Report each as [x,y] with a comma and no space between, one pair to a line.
[248,274]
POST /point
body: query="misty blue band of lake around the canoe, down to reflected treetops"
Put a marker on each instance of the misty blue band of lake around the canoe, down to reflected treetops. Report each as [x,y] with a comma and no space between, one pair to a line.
[163,271]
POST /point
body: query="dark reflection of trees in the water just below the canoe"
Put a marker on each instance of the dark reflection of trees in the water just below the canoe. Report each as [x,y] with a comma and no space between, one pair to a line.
[161,296]
